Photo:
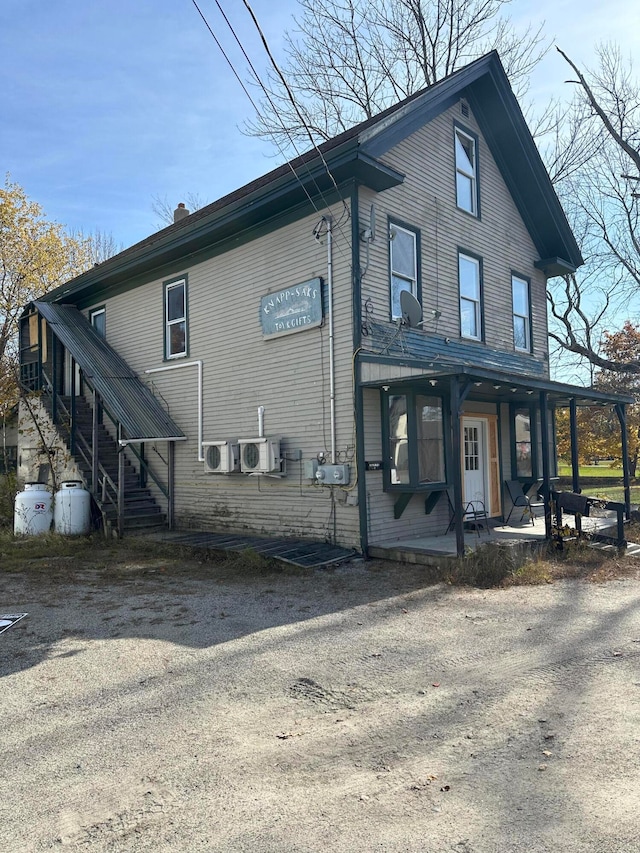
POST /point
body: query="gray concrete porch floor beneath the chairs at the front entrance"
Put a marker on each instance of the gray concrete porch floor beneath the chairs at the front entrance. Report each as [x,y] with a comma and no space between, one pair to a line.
[438,550]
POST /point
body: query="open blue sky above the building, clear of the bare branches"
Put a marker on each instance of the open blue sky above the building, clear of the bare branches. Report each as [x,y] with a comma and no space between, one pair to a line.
[104,105]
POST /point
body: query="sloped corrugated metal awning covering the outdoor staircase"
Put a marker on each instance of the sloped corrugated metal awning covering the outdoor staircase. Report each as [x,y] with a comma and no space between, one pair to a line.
[125,397]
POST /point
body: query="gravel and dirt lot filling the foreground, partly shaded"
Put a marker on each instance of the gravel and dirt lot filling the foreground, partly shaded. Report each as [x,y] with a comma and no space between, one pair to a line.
[168,704]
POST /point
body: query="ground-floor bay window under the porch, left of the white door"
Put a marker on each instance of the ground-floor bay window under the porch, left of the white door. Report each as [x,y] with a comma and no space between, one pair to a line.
[414,431]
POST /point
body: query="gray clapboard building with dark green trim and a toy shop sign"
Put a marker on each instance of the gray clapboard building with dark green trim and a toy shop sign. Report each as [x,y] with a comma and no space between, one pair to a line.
[350,348]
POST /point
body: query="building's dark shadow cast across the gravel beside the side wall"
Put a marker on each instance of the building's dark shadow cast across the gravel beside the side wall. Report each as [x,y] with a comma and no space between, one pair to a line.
[177,595]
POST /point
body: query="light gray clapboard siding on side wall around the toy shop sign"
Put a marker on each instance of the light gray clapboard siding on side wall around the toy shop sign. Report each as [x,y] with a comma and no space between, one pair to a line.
[241,371]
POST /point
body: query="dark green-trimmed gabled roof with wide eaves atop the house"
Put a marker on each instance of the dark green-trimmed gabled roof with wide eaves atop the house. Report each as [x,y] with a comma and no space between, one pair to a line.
[354,156]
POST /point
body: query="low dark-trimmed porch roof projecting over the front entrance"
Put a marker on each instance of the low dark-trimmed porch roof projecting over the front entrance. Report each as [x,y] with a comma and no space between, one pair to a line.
[496,387]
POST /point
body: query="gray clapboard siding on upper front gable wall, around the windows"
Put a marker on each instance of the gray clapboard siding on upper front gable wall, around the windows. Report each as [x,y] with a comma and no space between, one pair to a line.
[426,201]
